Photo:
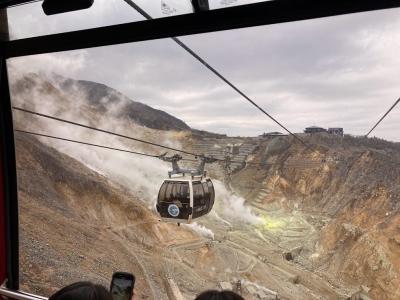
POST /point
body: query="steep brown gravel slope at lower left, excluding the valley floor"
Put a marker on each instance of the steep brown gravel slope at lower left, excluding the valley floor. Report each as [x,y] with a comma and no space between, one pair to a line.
[77,225]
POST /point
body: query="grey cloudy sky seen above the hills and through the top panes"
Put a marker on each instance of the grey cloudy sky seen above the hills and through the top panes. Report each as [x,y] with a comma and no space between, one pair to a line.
[332,72]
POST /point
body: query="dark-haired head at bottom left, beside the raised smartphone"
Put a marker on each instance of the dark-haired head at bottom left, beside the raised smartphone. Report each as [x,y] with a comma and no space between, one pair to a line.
[82,291]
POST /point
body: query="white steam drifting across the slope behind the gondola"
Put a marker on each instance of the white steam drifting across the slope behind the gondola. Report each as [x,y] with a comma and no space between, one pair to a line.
[139,174]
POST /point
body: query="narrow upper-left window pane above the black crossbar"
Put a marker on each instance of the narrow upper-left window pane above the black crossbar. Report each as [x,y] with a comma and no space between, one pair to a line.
[29,20]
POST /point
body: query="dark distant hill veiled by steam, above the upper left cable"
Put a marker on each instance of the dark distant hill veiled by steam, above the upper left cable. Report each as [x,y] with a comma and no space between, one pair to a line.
[68,94]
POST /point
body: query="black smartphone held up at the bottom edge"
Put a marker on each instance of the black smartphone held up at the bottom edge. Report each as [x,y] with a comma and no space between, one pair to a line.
[122,285]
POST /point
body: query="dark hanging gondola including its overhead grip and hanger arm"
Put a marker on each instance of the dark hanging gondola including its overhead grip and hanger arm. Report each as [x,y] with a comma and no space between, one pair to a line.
[186,194]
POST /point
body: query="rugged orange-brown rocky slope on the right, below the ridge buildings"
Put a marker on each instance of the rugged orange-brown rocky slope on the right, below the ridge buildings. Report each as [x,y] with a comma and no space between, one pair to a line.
[356,187]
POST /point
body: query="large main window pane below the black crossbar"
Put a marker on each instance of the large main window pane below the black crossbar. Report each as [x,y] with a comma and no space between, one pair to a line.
[86,212]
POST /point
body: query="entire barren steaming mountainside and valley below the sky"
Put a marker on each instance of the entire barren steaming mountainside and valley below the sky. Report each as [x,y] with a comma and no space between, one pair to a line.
[299,223]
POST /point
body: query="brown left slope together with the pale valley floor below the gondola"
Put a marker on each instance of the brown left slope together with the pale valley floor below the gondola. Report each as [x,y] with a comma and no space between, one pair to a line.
[75,224]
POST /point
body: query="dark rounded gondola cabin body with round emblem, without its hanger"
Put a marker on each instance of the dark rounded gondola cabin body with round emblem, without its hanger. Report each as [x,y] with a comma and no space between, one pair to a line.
[180,200]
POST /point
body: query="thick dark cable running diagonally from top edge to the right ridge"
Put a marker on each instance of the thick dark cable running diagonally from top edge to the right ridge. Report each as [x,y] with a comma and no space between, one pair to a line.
[223,78]
